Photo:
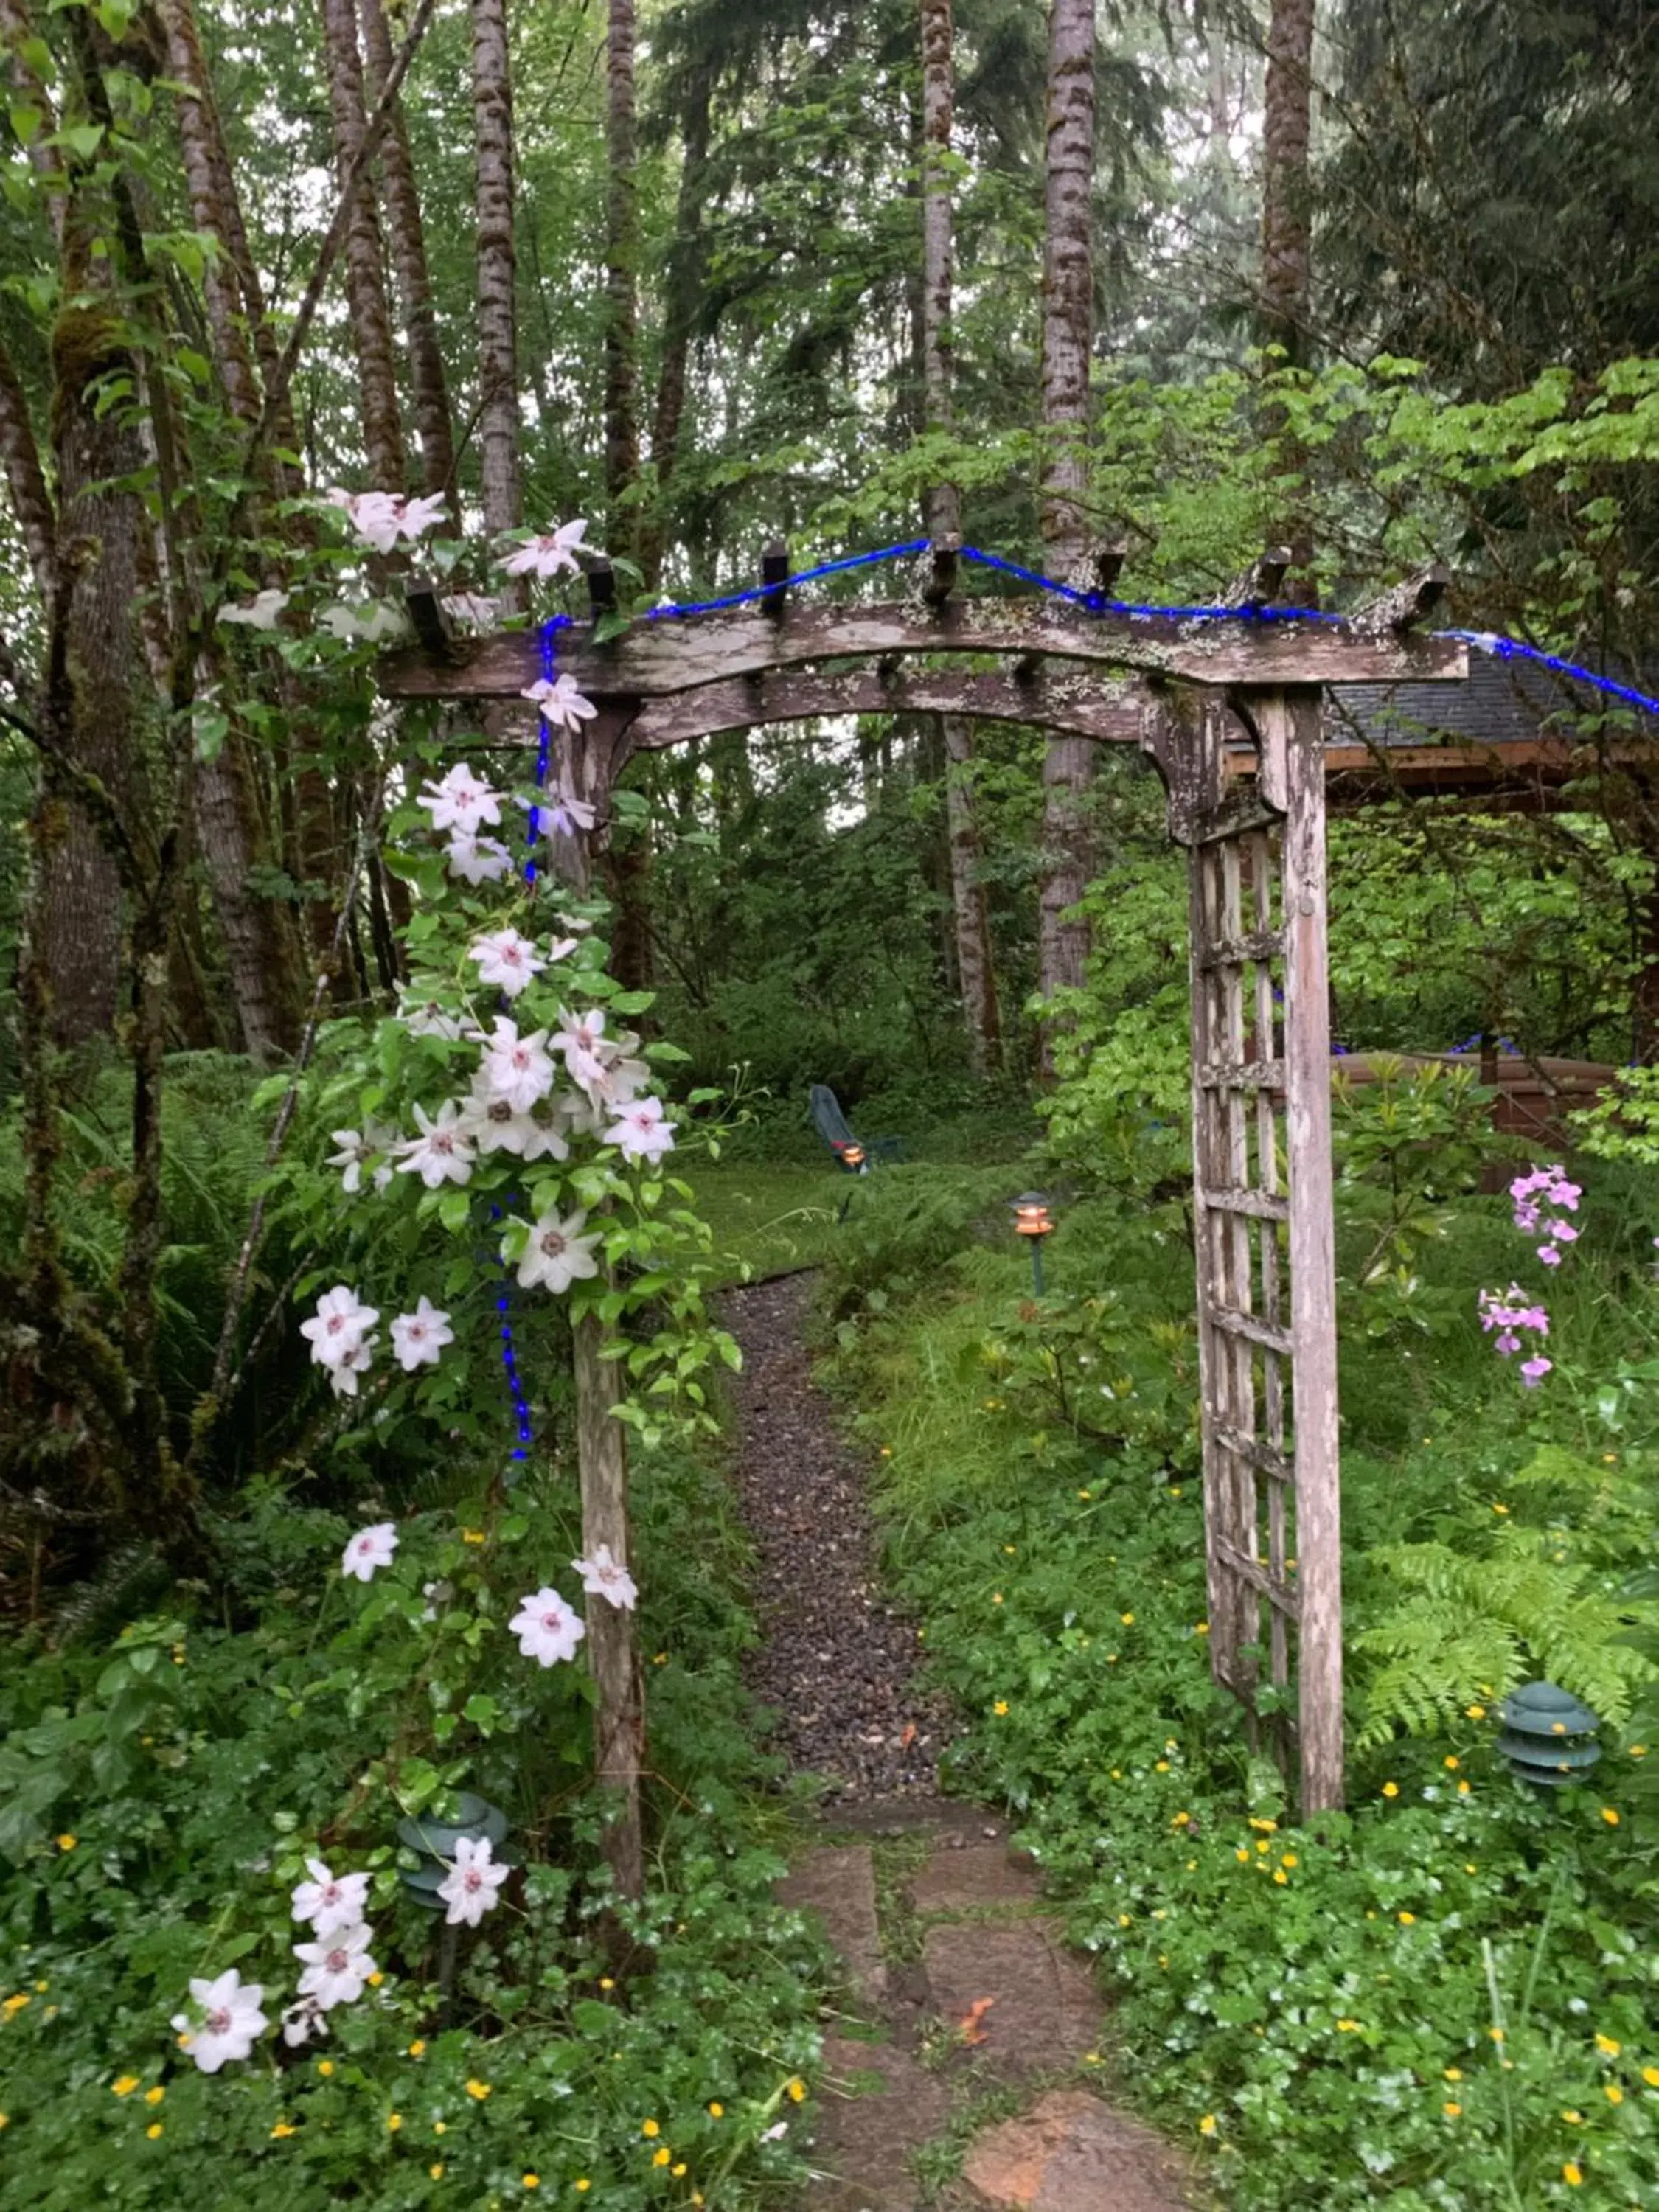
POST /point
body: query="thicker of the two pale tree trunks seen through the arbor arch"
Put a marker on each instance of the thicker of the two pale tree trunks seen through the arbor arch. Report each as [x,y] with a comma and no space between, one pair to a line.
[1067,340]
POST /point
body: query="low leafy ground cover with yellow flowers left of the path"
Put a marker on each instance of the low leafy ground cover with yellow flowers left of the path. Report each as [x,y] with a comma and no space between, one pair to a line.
[160,1791]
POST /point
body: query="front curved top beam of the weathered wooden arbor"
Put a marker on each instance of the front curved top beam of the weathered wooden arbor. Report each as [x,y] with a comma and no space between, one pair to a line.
[662,660]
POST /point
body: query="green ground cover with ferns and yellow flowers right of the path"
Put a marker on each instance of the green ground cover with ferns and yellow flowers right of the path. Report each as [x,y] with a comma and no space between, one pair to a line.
[1446,1996]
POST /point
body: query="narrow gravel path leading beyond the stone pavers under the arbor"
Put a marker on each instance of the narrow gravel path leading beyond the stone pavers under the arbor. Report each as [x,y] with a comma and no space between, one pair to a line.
[837,1660]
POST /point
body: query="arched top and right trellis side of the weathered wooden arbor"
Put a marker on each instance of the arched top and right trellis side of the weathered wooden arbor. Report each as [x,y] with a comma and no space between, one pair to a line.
[1231,713]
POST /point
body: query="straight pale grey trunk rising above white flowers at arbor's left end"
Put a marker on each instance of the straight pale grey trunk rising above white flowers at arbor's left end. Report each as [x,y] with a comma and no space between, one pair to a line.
[499,461]
